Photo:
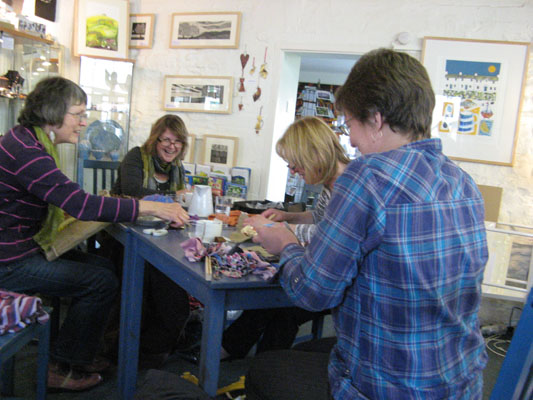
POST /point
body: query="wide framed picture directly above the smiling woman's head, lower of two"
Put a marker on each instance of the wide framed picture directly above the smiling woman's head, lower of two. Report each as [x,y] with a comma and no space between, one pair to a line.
[210,94]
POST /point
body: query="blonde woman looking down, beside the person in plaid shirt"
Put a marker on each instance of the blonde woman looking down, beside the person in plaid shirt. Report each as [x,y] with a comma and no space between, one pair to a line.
[312,150]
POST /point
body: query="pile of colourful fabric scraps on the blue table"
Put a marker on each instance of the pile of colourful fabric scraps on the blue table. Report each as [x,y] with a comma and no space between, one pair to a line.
[234,265]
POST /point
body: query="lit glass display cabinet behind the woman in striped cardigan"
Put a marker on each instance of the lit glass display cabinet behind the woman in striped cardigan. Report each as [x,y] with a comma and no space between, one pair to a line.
[24,60]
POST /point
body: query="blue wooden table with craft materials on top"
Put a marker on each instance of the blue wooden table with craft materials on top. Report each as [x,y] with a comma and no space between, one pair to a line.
[166,254]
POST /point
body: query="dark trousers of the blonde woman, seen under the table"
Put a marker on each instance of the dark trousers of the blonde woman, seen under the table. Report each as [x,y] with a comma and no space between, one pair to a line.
[271,329]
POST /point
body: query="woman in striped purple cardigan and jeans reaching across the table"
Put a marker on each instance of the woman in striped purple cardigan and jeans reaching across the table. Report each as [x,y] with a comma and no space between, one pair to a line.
[35,197]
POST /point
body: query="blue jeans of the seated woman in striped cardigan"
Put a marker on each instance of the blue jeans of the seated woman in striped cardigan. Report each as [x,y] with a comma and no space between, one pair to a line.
[88,279]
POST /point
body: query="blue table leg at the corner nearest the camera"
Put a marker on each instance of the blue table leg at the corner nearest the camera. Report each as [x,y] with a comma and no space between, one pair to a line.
[212,330]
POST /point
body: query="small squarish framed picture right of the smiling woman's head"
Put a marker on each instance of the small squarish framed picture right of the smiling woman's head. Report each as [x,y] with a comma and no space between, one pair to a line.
[219,151]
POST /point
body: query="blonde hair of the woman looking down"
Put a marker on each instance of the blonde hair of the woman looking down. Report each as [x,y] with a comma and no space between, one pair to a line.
[309,143]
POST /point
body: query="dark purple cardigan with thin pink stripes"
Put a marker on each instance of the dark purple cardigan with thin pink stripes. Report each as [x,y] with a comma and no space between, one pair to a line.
[29,180]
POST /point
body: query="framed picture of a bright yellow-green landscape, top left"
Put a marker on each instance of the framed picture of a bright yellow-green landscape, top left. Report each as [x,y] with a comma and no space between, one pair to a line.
[101,28]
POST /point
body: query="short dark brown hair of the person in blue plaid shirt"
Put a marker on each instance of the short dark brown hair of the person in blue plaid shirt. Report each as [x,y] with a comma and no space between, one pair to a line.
[394,84]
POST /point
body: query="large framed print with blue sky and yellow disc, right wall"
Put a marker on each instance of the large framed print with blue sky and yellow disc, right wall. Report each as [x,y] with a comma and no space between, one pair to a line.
[479,87]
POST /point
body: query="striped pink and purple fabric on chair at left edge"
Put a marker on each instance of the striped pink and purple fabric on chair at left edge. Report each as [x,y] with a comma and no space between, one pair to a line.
[18,310]
